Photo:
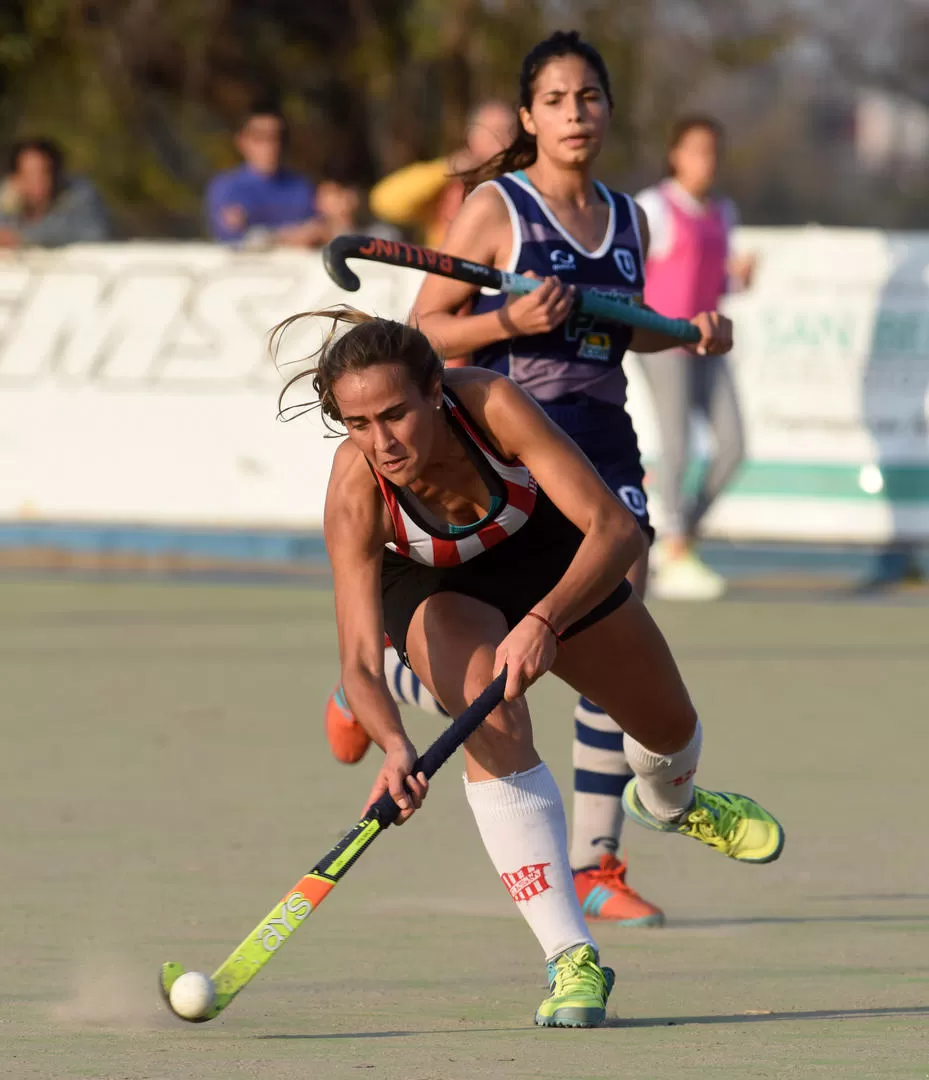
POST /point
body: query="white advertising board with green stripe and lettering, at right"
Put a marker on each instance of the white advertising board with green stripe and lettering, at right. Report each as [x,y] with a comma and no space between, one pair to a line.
[832,364]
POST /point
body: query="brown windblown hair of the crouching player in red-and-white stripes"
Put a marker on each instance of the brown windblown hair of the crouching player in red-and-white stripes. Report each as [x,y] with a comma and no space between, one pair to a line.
[371,341]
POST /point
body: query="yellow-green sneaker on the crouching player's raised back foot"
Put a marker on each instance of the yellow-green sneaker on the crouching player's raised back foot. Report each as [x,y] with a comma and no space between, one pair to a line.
[733,825]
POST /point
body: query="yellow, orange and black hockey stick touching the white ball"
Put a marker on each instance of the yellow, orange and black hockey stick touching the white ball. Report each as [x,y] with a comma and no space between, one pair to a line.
[241,967]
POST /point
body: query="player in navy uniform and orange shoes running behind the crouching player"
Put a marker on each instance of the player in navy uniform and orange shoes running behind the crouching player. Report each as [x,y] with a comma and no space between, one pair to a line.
[540,211]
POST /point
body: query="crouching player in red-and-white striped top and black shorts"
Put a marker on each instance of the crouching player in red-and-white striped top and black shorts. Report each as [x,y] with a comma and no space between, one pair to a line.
[463,522]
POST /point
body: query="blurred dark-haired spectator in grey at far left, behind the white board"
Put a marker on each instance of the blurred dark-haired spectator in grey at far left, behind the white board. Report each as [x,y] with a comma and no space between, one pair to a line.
[41,205]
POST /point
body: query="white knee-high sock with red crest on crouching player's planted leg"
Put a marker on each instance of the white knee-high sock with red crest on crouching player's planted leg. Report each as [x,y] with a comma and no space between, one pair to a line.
[522,823]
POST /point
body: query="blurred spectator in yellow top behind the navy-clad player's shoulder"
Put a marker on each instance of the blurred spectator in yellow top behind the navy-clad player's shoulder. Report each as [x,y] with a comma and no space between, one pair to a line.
[426,196]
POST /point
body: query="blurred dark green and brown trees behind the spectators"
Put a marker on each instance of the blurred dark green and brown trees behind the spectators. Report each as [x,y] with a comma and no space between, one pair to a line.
[145,94]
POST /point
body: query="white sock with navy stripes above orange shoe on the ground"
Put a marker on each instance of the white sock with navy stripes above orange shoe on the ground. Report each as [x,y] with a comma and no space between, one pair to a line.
[601,774]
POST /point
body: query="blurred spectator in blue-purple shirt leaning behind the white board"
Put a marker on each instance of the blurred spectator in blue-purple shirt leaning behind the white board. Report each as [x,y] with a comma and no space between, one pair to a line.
[262,204]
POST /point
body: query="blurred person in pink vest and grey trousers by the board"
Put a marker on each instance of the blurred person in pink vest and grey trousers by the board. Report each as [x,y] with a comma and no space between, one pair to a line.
[690,268]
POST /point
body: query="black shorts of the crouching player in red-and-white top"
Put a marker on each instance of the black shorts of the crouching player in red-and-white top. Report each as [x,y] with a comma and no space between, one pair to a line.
[513,577]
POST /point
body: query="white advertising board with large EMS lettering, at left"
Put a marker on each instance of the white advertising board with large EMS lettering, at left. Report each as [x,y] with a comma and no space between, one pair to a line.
[137,386]
